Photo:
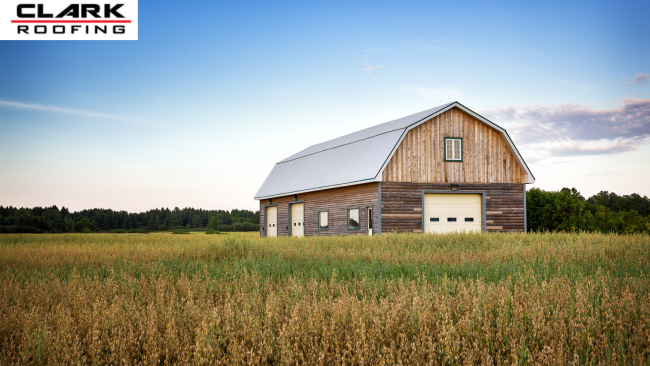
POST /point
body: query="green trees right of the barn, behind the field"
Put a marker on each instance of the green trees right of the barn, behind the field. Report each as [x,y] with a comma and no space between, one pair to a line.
[606,212]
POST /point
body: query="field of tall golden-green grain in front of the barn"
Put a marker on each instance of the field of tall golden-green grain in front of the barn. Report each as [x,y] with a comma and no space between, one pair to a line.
[409,299]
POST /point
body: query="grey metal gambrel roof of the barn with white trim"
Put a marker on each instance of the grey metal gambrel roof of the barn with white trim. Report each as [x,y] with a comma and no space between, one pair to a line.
[359,157]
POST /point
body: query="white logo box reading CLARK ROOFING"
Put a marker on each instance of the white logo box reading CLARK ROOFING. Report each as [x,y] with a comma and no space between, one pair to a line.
[65,20]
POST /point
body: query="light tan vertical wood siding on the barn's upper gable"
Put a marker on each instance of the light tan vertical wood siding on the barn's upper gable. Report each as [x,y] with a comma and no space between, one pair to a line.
[486,155]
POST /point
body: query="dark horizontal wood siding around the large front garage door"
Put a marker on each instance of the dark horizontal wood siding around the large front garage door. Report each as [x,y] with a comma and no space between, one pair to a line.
[402,205]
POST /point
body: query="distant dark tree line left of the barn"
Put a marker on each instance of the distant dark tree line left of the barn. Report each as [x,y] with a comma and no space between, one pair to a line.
[55,220]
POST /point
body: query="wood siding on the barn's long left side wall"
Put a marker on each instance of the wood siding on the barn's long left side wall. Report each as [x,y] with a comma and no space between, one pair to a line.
[336,200]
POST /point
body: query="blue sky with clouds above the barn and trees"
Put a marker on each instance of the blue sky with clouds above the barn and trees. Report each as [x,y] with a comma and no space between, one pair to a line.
[197,111]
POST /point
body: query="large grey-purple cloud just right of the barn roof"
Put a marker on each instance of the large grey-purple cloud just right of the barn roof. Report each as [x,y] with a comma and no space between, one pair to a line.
[576,130]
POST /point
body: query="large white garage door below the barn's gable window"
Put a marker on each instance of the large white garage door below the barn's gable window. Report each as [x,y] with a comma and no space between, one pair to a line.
[445,213]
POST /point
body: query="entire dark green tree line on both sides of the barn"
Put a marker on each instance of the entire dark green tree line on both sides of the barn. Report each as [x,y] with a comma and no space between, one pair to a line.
[565,210]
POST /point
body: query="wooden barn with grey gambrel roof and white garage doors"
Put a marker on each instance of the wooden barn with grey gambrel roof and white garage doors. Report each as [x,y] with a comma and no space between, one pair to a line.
[444,169]
